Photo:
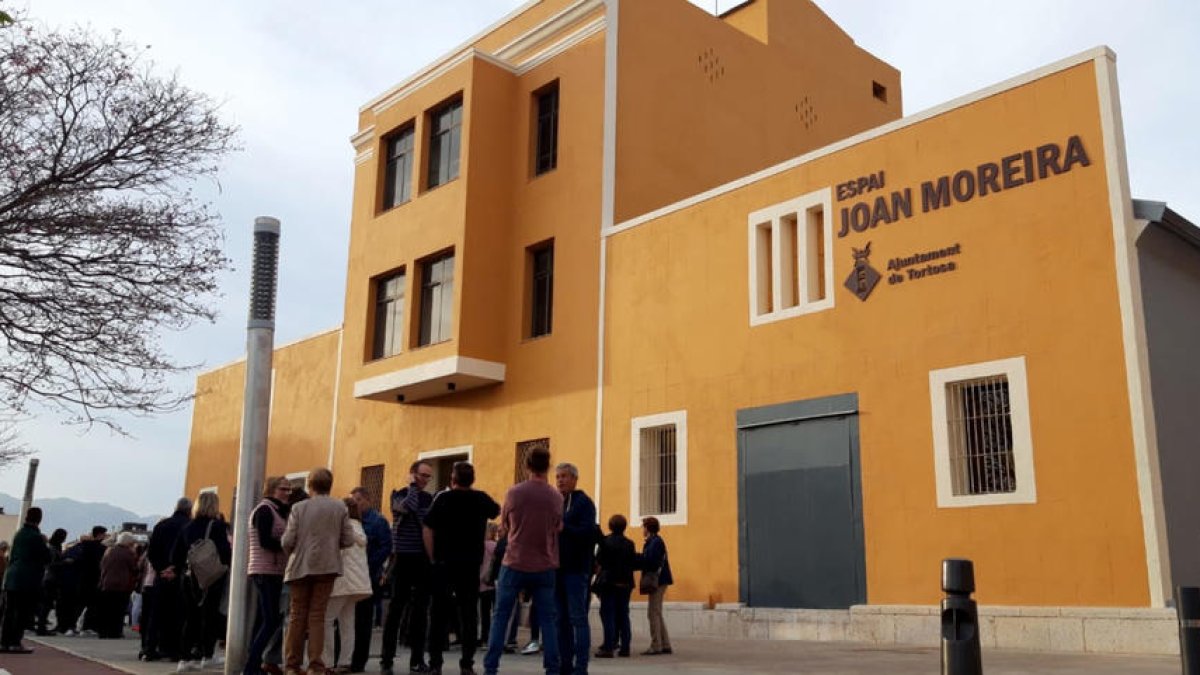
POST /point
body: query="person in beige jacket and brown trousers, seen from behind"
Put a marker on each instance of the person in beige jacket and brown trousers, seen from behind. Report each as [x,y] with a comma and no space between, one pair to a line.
[319,529]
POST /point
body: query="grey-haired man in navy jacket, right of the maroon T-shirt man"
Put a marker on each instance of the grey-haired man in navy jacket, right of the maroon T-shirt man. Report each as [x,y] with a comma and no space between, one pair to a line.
[577,553]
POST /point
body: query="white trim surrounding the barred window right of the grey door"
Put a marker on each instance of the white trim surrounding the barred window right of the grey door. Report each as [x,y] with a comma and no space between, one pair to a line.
[1019,415]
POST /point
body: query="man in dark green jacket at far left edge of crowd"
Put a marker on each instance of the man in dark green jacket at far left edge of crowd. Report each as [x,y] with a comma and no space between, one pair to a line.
[23,582]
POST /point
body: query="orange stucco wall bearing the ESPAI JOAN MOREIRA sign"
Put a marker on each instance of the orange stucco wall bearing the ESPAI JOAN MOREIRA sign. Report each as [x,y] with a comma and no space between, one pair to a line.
[1036,278]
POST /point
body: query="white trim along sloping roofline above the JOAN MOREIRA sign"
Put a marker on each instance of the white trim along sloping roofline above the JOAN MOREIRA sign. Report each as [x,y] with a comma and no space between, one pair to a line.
[1091,56]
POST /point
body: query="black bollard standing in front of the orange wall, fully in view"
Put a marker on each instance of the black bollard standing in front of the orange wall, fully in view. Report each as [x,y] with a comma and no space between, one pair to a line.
[961,620]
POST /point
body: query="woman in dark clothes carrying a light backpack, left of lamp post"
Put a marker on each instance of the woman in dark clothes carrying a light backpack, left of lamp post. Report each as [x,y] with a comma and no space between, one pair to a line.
[202,554]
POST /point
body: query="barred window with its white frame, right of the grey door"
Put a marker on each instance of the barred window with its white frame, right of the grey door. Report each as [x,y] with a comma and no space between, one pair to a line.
[982,443]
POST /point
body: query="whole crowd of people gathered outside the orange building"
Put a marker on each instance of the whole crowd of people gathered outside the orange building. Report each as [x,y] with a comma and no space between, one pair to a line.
[327,570]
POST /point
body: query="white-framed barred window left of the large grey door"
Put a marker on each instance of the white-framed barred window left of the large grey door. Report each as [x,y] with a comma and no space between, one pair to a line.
[659,468]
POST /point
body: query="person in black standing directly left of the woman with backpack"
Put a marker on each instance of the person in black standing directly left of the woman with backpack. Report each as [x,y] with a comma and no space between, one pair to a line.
[166,624]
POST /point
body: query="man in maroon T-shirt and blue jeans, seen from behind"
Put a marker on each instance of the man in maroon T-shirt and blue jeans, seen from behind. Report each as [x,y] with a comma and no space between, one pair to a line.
[532,518]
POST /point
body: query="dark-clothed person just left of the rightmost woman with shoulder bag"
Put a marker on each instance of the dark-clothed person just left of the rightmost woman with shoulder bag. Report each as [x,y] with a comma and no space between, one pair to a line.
[617,559]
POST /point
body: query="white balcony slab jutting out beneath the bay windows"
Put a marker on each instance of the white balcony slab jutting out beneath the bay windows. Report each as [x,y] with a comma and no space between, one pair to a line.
[429,380]
